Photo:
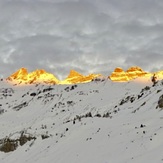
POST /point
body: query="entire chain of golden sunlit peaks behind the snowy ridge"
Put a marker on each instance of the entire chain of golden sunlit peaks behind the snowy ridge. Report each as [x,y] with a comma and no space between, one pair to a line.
[41,76]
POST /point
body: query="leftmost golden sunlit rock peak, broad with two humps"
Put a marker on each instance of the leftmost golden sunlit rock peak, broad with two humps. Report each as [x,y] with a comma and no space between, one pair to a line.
[39,76]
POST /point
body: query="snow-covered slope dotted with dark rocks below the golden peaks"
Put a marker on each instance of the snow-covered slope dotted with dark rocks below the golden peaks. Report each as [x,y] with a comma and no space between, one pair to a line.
[95,122]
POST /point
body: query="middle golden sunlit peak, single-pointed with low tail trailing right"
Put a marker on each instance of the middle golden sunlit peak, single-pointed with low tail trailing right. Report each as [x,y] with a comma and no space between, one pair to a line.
[75,77]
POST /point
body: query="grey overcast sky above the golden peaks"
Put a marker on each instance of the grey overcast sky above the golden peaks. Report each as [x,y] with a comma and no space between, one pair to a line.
[90,36]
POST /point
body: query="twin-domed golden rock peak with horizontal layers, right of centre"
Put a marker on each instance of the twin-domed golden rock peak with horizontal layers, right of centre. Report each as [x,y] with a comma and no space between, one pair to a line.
[133,72]
